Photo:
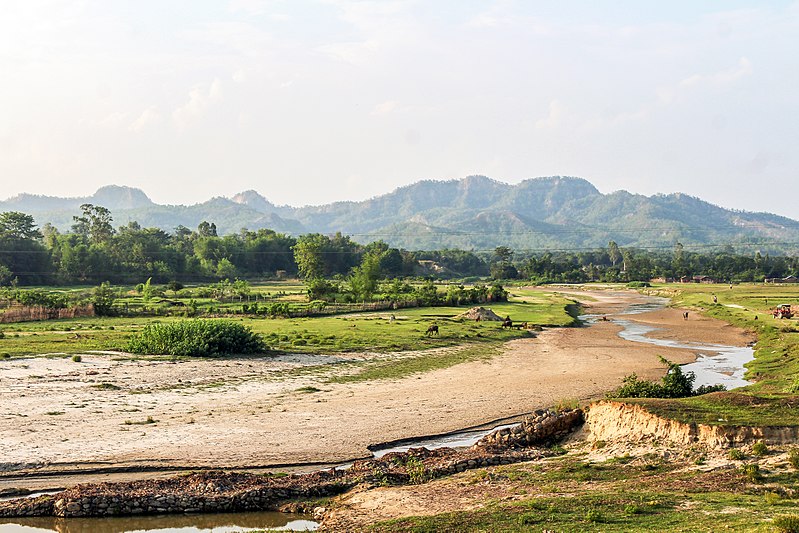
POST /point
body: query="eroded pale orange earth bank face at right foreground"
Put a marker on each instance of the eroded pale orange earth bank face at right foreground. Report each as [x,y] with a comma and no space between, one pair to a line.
[613,420]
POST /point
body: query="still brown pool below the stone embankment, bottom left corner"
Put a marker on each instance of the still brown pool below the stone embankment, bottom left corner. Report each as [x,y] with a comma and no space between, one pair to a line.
[216,523]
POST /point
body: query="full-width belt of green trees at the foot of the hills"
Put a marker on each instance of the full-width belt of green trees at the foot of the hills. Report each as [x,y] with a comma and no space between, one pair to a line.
[95,251]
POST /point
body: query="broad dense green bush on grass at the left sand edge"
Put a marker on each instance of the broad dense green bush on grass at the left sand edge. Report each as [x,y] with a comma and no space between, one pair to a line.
[196,338]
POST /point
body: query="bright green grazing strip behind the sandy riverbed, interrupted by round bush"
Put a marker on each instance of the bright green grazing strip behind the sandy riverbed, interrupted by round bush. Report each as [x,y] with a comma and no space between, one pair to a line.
[316,335]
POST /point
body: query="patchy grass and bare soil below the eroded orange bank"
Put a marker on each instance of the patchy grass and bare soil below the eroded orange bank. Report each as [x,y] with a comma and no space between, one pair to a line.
[570,494]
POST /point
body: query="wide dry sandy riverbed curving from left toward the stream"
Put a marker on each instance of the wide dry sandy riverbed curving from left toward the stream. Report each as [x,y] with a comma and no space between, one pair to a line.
[56,414]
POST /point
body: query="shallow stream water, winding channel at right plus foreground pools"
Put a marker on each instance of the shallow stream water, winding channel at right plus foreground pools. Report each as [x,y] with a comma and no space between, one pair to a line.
[715,364]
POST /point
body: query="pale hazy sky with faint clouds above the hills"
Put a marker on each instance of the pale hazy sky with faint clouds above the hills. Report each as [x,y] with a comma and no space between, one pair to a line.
[313,101]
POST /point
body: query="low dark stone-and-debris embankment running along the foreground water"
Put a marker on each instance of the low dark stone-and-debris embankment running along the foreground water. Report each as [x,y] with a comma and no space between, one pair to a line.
[213,492]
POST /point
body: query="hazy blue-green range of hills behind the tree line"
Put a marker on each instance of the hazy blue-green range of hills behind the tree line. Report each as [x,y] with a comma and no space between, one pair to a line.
[472,213]
